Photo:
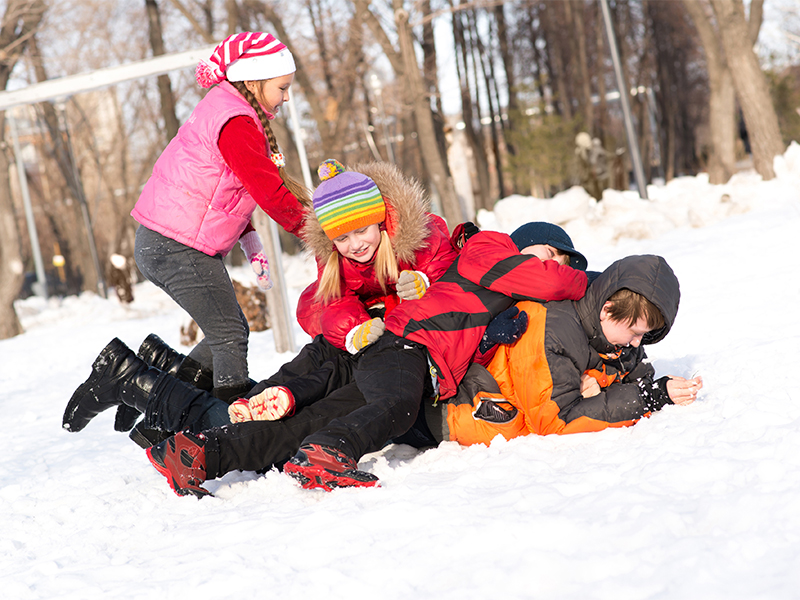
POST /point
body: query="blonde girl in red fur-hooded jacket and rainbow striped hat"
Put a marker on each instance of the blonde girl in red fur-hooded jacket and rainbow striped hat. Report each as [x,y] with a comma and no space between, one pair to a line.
[375,245]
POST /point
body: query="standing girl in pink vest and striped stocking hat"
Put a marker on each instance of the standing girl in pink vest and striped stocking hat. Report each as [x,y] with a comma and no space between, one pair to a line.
[198,202]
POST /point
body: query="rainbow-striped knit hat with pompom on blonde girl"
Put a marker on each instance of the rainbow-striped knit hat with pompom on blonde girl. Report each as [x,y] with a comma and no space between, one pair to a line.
[346,200]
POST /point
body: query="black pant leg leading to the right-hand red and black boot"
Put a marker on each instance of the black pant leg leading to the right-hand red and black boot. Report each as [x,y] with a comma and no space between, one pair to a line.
[393,376]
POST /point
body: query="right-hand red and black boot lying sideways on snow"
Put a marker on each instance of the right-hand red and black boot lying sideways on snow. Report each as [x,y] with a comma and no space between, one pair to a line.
[316,466]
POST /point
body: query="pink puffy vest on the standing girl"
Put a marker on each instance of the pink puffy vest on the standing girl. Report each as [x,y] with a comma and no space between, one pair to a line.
[192,196]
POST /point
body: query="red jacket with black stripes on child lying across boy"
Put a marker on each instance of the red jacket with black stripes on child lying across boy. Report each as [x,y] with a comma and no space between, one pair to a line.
[488,276]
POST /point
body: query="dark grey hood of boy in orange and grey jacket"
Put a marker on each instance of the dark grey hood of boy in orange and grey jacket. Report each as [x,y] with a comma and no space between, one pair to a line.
[648,275]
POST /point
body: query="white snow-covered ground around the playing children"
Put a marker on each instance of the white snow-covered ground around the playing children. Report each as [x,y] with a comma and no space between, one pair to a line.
[695,502]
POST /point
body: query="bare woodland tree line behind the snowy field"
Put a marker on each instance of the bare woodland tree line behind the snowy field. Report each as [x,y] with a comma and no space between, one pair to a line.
[529,76]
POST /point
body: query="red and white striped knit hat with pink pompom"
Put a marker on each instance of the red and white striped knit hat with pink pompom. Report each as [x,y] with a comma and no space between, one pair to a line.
[244,57]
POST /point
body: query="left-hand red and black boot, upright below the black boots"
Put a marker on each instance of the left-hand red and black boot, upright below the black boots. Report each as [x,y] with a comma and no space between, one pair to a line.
[182,460]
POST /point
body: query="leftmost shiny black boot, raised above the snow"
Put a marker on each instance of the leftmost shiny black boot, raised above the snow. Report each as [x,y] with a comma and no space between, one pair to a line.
[118,377]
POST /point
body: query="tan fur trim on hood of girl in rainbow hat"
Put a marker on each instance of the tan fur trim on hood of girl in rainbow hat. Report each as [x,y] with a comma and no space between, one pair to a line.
[406,213]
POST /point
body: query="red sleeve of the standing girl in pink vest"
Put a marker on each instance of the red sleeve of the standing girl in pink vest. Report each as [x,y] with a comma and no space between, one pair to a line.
[244,149]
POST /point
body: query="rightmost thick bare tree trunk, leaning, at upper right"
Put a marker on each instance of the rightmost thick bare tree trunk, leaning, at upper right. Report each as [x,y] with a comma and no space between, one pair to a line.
[751,86]
